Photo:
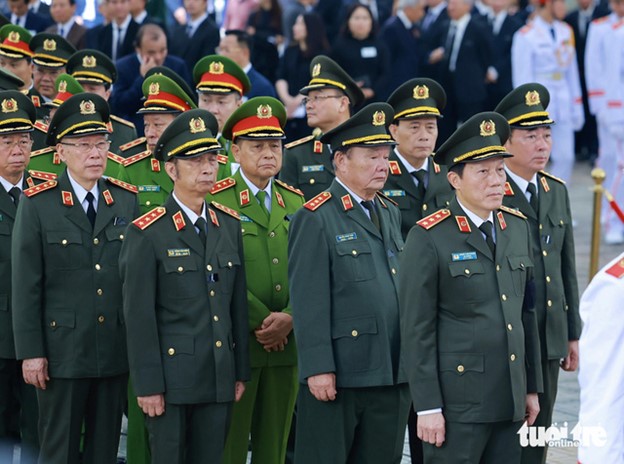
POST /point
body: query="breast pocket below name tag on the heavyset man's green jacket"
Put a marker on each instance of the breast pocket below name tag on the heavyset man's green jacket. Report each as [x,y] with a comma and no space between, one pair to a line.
[354,262]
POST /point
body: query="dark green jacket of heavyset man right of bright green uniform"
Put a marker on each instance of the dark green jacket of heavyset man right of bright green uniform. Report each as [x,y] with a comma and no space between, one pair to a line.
[343,277]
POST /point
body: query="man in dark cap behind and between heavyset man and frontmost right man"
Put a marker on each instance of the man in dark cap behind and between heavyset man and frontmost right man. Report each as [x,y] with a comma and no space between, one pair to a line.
[416,183]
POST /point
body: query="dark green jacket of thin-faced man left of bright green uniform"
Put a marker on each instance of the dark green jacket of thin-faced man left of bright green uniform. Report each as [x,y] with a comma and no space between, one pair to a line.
[185,306]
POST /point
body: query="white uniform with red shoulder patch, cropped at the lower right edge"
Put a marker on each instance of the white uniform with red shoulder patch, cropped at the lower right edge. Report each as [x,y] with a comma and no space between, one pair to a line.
[601,371]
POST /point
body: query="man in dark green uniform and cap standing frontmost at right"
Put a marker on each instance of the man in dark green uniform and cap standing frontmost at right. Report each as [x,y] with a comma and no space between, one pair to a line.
[468,322]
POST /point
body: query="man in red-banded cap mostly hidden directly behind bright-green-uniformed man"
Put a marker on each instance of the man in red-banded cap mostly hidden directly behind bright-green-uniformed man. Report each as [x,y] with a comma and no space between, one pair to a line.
[221,85]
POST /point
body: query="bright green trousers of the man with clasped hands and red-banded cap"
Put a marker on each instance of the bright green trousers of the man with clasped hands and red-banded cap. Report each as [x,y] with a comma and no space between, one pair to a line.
[265,411]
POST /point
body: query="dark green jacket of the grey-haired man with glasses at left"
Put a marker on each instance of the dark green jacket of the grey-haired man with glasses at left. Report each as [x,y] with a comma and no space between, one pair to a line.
[66,288]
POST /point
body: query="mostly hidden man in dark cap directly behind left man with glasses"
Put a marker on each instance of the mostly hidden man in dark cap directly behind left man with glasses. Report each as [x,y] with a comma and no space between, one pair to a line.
[97,73]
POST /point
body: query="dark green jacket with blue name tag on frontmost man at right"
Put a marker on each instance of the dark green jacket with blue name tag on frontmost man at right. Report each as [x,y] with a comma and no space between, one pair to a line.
[469,337]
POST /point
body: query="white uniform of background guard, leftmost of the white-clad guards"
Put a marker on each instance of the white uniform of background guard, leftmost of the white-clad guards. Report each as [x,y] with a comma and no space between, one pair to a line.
[545,53]
